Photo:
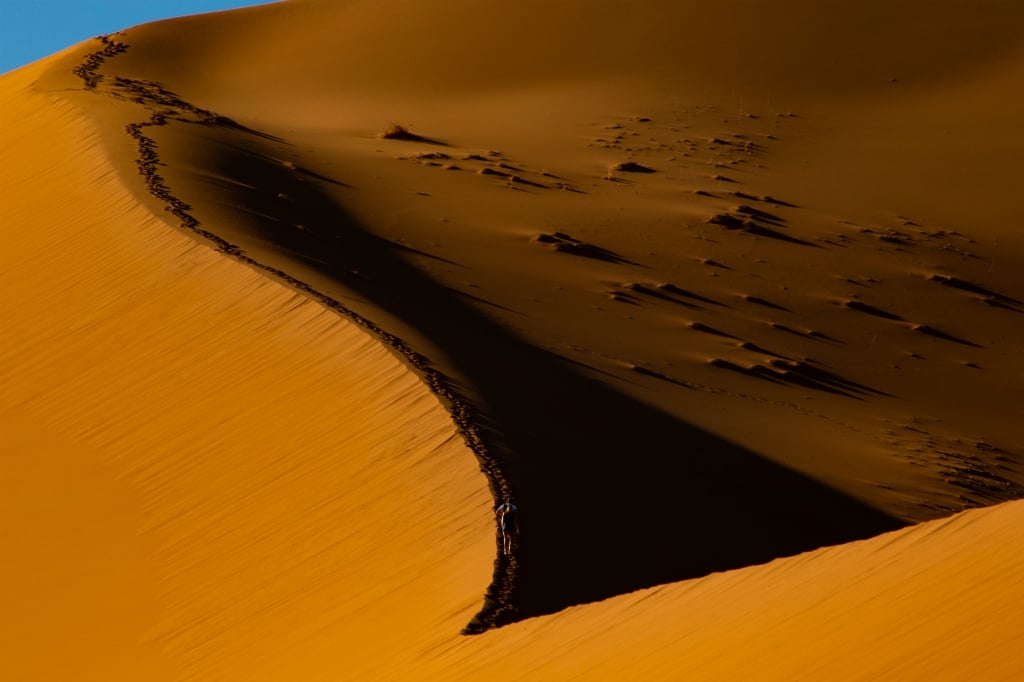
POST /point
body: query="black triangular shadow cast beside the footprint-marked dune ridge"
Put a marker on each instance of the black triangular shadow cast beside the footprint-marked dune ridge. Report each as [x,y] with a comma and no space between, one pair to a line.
[614,495]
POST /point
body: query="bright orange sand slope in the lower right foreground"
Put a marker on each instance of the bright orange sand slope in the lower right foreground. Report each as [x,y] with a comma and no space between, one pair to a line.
[938,602]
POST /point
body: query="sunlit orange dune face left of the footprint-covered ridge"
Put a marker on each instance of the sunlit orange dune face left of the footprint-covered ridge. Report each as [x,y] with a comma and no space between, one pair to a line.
[204,477]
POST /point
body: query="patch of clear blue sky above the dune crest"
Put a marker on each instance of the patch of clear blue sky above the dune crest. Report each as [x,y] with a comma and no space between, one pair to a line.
[33,29]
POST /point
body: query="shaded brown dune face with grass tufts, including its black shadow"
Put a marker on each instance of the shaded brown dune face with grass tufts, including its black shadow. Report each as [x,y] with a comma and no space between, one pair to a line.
[802,325]
